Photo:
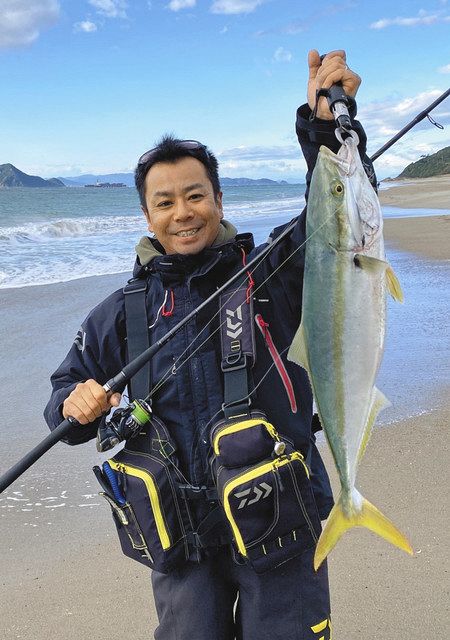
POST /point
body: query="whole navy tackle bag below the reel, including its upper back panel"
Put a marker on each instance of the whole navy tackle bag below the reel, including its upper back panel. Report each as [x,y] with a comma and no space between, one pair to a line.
[141,487]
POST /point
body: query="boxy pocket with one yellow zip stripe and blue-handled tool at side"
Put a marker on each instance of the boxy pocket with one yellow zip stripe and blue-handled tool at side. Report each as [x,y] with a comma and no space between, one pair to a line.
[146,509]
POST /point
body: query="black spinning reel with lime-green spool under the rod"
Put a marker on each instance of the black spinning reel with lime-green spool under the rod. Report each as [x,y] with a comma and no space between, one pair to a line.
[125,423]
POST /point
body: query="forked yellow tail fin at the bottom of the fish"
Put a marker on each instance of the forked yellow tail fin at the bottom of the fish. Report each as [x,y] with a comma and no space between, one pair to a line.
[367,516]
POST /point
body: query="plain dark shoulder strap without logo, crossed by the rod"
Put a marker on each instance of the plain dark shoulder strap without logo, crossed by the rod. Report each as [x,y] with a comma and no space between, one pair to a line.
[138,339]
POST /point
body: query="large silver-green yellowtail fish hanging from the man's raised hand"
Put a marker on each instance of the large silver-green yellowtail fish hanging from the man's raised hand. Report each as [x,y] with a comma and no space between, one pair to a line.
[340,338]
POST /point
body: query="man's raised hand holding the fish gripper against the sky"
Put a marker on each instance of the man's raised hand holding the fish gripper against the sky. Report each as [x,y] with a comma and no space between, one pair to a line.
[322,75]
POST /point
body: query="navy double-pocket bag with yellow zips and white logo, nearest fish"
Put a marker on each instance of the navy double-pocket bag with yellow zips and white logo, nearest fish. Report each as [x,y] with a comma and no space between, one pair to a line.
[264,487]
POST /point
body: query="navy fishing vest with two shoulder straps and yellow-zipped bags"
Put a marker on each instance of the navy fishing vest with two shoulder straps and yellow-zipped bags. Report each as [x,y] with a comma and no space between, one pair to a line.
[261,500]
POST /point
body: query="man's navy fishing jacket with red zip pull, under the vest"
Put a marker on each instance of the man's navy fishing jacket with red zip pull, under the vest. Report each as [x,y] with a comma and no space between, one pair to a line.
[193,393]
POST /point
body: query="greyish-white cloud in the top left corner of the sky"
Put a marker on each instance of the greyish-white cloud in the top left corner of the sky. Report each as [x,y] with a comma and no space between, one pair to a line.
[21,21]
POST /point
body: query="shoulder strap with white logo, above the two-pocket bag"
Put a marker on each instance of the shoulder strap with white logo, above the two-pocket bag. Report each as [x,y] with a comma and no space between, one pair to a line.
[238,350]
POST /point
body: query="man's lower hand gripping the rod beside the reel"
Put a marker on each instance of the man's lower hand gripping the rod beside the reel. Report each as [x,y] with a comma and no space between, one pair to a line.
[88,401]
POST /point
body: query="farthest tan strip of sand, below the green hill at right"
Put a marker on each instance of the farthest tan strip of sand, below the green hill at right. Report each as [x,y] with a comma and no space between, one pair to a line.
[421,193]
